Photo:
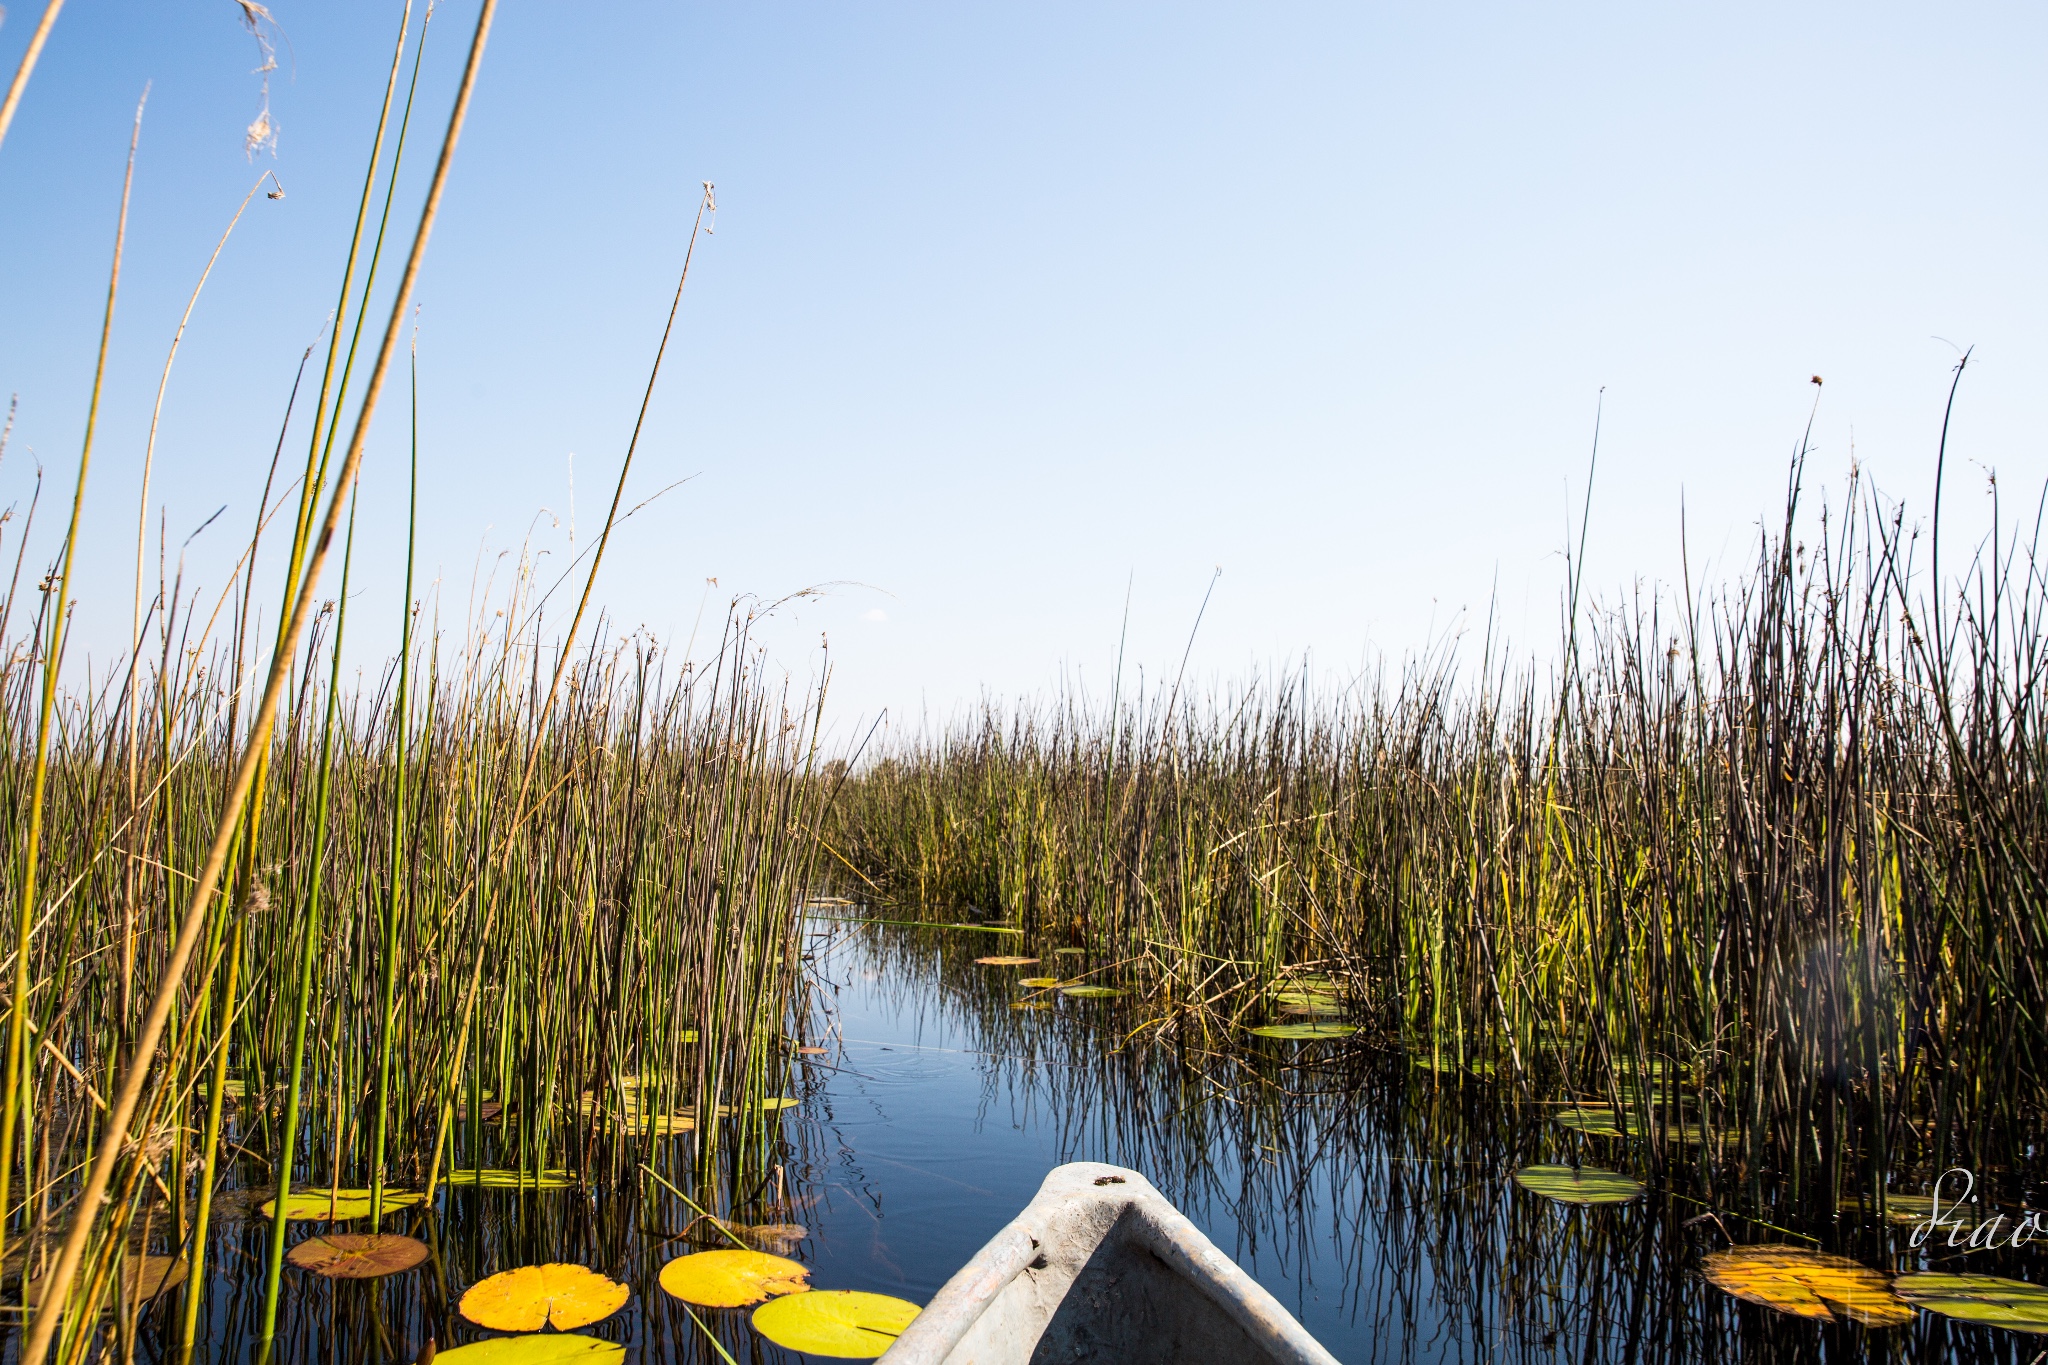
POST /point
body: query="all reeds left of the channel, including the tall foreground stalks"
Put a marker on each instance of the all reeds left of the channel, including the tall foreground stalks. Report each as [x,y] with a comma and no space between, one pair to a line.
[515,901]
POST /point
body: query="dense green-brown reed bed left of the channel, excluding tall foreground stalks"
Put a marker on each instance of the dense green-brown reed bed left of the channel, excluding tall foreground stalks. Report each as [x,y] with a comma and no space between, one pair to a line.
[415,987]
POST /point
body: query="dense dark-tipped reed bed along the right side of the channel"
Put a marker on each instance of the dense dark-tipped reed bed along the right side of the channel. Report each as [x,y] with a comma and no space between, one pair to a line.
[1760,869]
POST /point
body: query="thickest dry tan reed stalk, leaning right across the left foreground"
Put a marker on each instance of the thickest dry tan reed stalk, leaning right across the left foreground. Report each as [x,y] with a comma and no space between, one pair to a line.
[288,646]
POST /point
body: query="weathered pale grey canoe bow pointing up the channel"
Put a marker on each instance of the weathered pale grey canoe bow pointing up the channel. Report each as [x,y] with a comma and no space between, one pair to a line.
[1101,1268]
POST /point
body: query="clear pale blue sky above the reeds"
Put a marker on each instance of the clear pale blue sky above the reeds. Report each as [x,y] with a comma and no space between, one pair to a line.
[1019,324]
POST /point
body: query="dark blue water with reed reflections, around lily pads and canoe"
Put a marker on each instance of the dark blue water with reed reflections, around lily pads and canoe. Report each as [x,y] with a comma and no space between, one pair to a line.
[1371,1196]
